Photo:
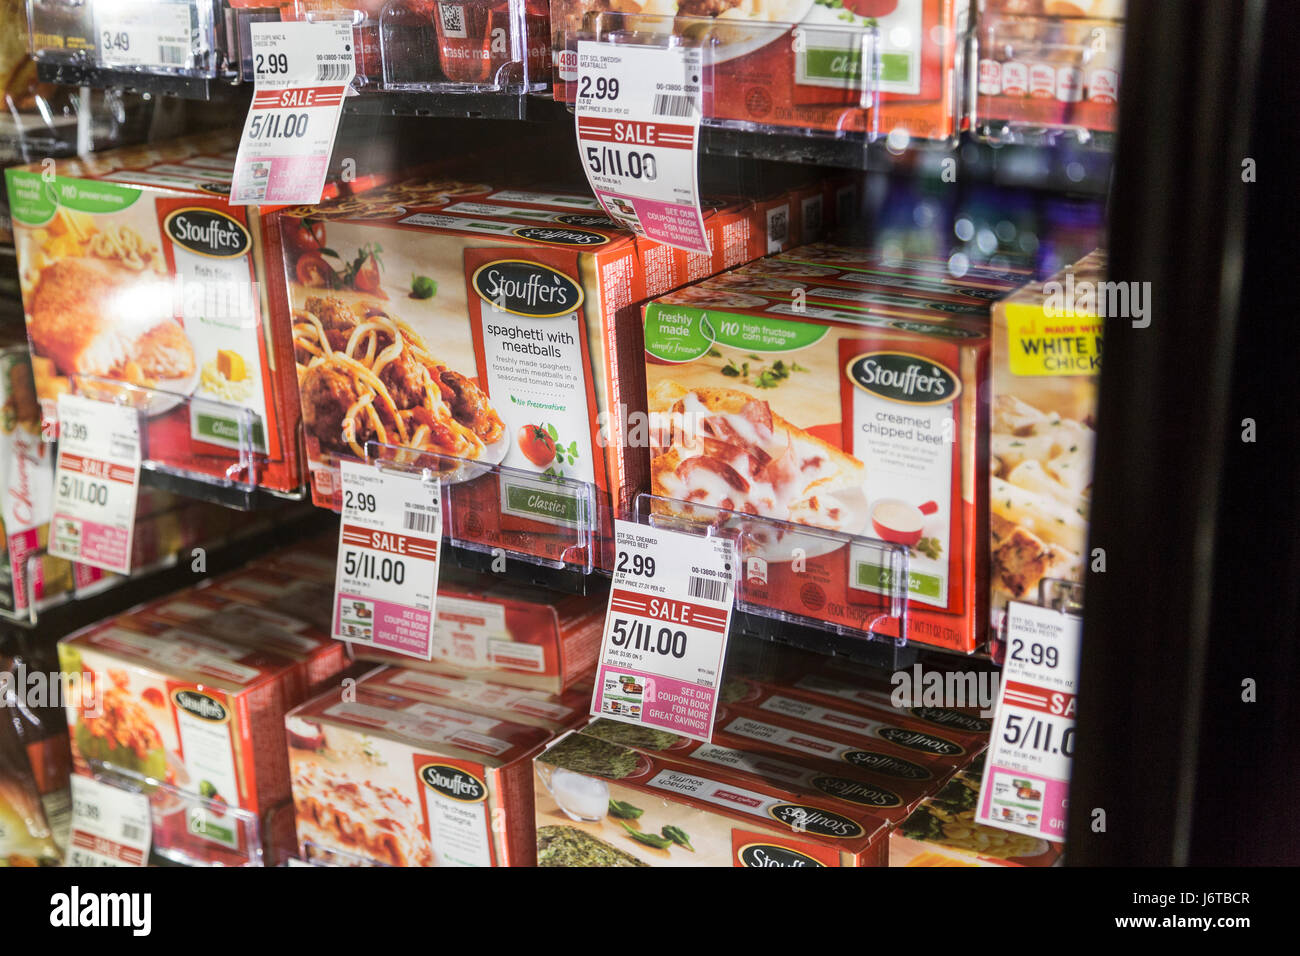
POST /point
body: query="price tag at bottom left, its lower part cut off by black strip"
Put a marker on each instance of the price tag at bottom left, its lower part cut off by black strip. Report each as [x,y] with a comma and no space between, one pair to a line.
[111,827]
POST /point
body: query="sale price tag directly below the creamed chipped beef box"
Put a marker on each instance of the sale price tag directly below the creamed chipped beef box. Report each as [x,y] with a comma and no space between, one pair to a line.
[666,630]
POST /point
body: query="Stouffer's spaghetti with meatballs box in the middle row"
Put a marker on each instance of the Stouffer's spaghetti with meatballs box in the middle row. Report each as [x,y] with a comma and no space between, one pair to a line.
[478,339]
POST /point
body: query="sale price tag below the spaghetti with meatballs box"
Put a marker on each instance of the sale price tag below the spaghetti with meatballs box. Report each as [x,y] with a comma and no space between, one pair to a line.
[388,560]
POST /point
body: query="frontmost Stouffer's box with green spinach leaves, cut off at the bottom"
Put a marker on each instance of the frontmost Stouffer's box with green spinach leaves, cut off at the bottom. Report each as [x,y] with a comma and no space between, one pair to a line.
[600,804]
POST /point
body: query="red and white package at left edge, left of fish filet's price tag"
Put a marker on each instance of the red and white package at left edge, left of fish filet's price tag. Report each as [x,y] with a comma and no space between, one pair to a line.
[27,487]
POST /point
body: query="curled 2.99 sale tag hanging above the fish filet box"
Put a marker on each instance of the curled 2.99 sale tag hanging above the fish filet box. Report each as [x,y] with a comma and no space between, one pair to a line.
[301,75]
